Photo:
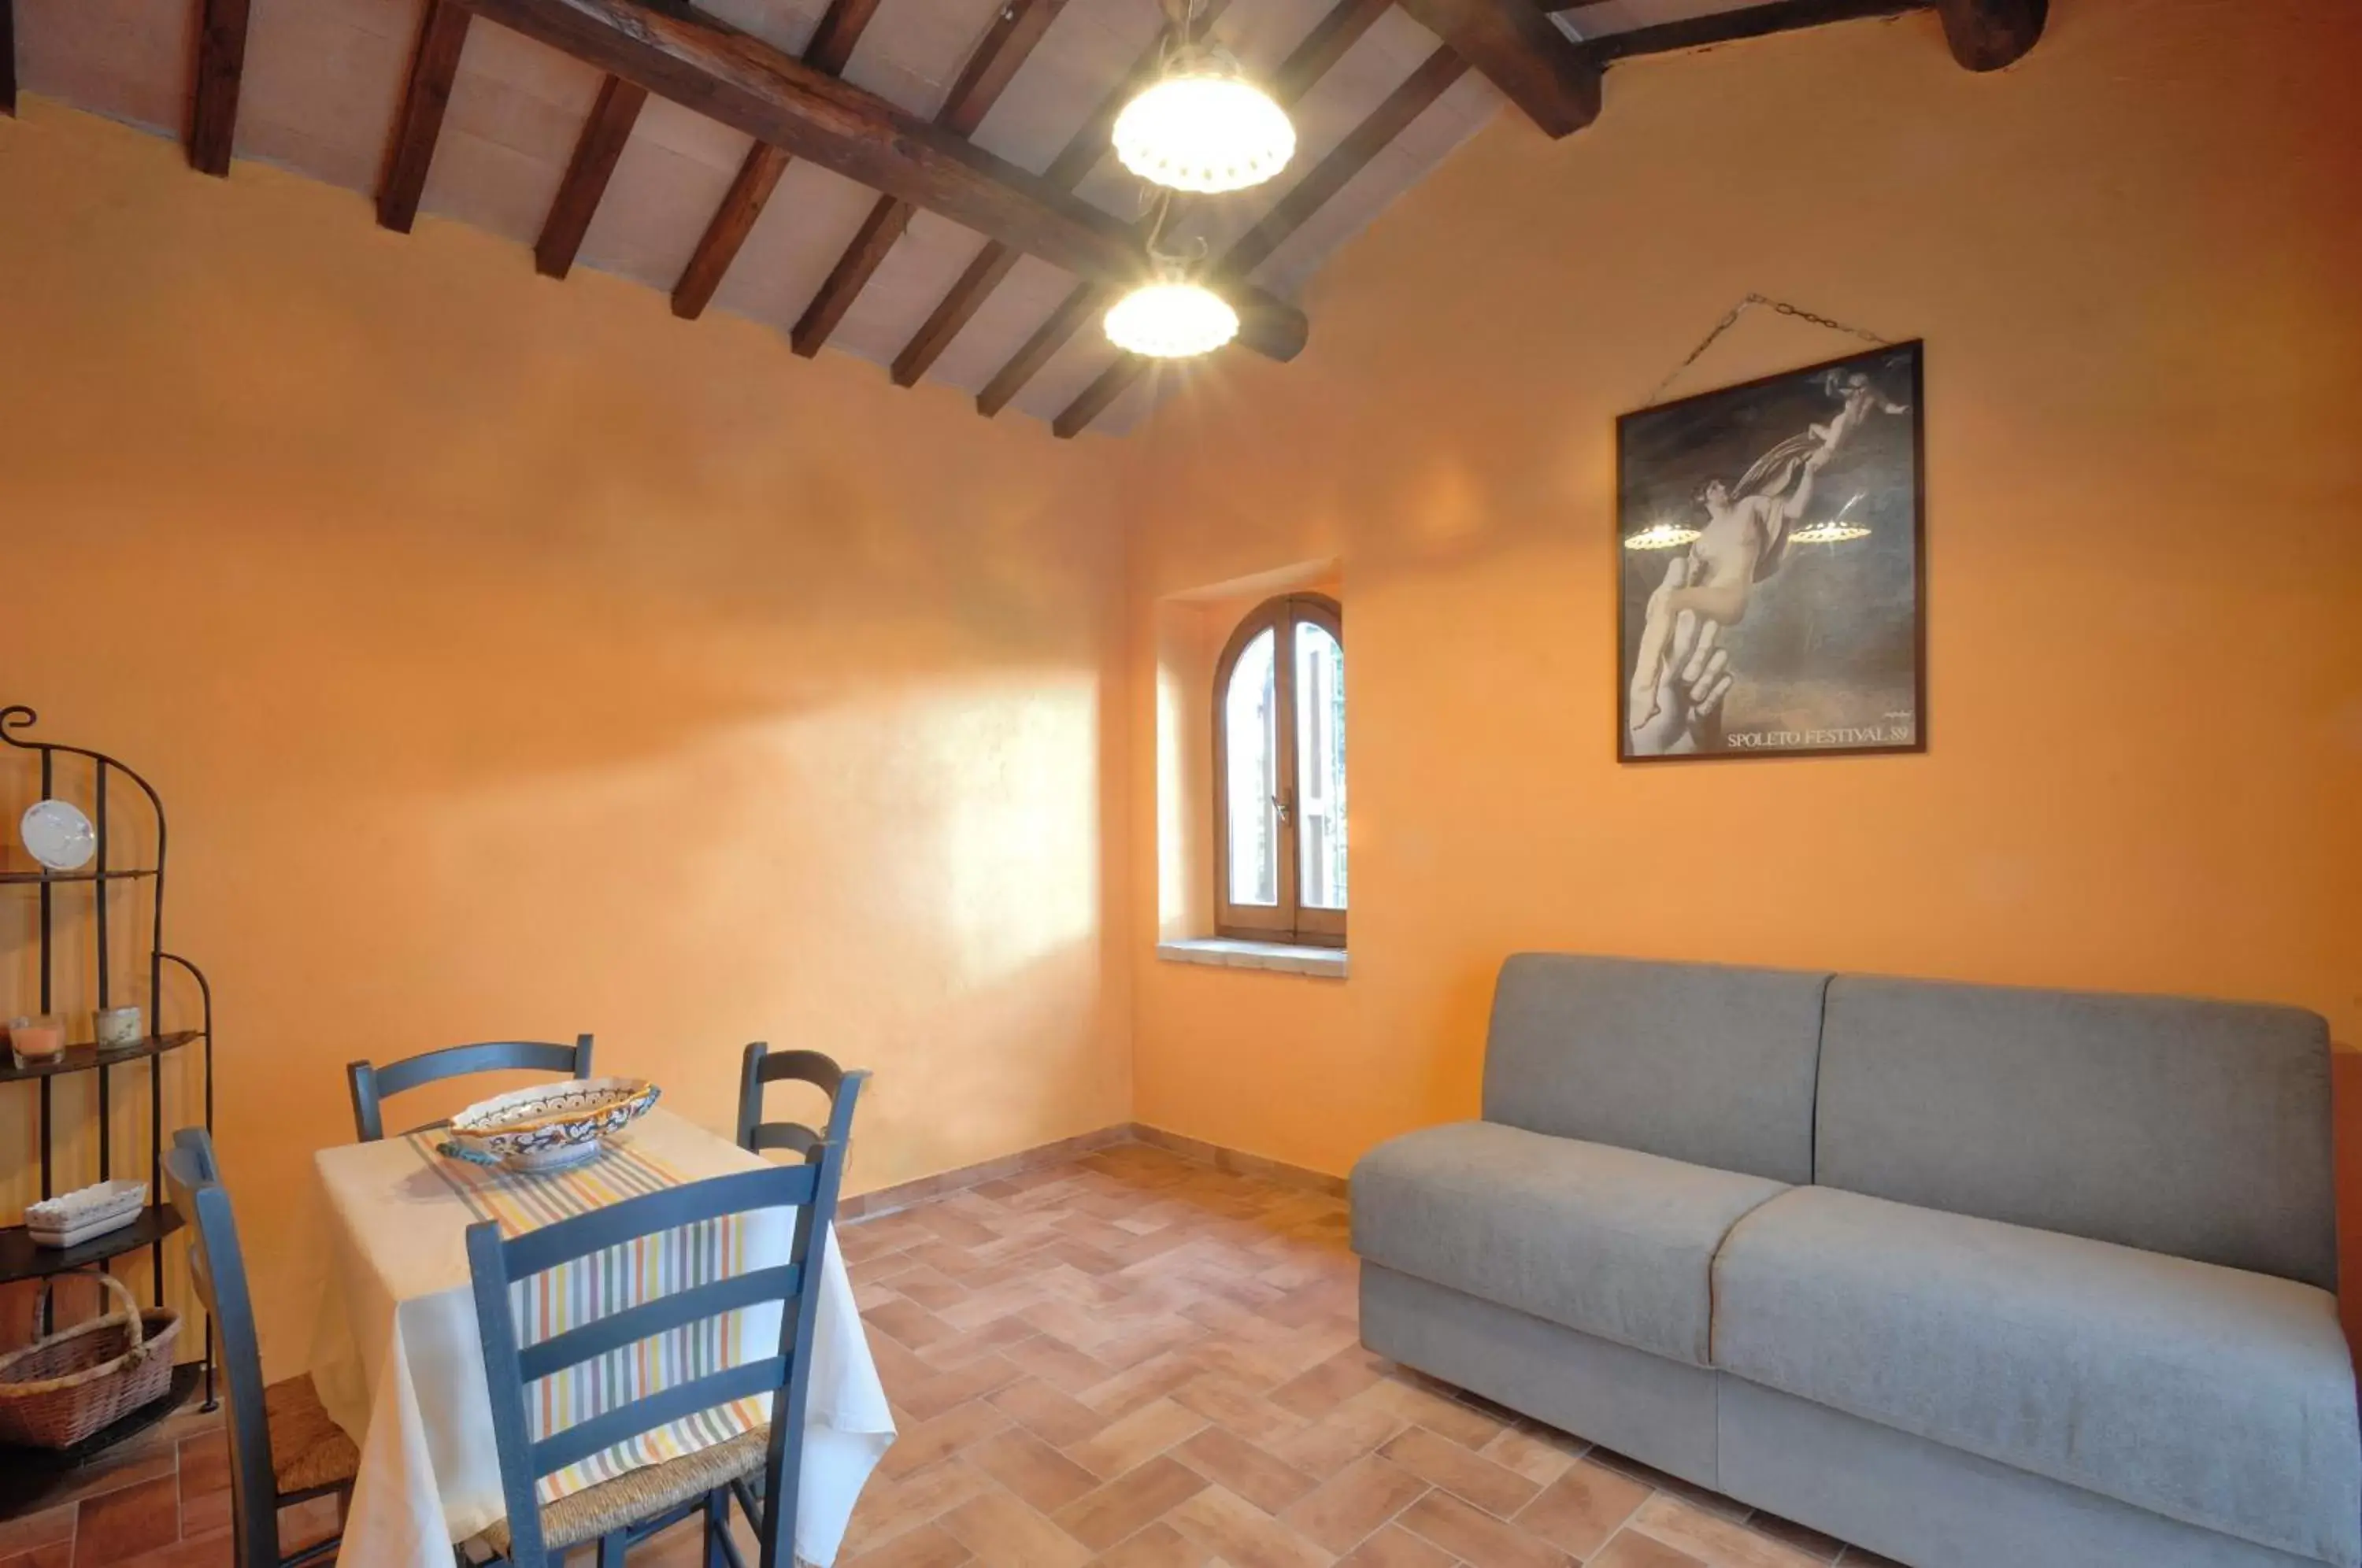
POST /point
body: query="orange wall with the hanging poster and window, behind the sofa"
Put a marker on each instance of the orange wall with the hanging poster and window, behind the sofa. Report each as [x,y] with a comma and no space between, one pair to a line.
[2134,261]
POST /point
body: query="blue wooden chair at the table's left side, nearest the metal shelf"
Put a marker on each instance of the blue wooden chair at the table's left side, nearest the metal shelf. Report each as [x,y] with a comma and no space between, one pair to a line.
[282,1444]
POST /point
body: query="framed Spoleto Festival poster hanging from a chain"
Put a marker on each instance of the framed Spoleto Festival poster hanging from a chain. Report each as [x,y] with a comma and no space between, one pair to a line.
[1770,563]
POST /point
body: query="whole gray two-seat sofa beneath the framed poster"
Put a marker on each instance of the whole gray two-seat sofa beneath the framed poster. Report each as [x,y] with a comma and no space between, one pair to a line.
[1966,1276]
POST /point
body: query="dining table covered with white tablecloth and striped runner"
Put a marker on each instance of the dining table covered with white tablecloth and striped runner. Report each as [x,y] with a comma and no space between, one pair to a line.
[400,1366]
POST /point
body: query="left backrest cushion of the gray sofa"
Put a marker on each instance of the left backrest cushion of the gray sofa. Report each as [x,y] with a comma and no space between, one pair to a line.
[1692,1061]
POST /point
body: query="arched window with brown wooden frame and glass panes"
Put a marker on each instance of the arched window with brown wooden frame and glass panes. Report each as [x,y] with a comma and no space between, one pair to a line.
[1279,776]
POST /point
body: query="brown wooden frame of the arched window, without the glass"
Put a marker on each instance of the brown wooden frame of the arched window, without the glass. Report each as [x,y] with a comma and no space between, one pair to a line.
[1286,922]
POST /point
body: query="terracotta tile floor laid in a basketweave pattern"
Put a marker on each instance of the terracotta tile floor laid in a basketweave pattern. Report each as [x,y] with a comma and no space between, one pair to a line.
[1130,1361]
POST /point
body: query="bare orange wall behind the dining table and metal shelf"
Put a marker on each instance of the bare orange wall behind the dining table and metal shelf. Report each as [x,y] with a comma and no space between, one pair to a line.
[518,660]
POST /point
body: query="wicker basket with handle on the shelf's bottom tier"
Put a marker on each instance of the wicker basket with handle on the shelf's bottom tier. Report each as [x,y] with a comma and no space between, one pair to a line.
[60,1390]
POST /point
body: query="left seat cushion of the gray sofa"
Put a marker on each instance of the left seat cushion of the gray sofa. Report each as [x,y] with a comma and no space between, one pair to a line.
[1588,1236]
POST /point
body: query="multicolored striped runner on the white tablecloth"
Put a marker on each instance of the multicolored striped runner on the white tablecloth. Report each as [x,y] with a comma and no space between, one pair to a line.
[608,1283]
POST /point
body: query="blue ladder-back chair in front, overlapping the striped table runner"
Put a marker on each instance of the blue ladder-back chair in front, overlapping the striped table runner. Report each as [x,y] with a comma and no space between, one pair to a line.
[632,1508]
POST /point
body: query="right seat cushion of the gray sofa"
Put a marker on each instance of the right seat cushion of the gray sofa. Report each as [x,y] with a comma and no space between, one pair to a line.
[2217,1397]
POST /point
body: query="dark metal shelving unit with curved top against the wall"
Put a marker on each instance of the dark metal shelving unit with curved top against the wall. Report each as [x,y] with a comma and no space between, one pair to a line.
[112,785]
